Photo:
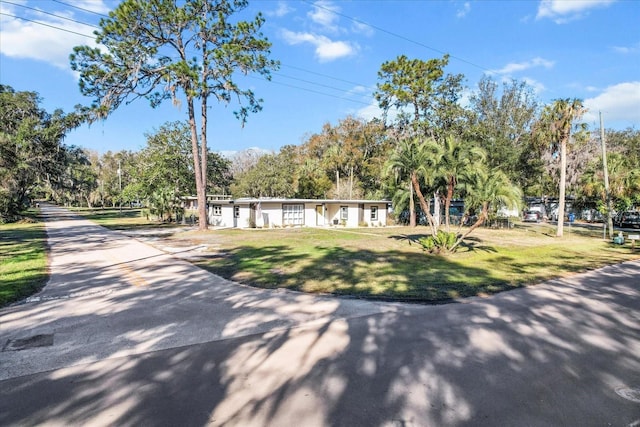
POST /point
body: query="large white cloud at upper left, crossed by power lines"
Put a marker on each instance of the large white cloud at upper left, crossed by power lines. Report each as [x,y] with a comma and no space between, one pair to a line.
[50,40]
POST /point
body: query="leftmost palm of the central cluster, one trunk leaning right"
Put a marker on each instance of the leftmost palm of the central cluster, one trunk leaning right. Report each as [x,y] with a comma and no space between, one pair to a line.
[411,161]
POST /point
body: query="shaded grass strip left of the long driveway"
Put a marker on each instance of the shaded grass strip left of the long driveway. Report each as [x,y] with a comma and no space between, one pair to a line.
[23,260]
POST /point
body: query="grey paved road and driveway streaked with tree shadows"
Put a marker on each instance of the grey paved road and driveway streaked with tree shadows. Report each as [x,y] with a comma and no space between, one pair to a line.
[125,334]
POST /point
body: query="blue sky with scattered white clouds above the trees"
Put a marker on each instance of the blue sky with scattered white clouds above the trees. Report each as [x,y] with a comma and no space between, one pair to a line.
[330,53]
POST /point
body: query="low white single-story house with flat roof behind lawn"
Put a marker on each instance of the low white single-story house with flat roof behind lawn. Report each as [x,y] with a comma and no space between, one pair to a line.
[276,212]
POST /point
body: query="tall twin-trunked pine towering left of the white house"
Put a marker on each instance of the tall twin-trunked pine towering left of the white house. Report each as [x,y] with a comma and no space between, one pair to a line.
[191,51]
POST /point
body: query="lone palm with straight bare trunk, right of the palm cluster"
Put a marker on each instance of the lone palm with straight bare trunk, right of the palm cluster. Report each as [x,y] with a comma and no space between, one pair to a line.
[558,119]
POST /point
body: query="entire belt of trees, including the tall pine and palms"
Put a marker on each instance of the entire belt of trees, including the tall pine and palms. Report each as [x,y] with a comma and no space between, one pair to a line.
[431,145]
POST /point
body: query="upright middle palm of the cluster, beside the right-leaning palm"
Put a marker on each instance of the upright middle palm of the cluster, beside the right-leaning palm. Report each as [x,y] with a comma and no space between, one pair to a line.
[455,161]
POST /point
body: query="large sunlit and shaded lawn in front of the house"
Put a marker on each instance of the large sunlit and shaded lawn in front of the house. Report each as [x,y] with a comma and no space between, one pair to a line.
[389,264]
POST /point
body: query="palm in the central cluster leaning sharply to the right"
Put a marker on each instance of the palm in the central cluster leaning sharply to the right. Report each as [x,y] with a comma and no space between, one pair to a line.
[487,189]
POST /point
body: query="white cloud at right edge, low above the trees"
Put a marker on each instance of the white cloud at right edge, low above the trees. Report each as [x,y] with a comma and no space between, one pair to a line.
[618,103]
